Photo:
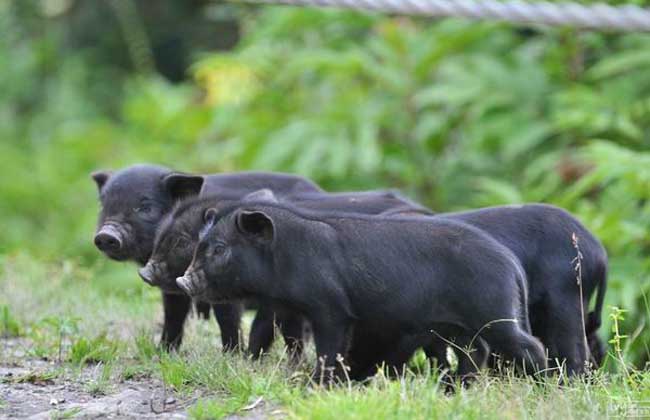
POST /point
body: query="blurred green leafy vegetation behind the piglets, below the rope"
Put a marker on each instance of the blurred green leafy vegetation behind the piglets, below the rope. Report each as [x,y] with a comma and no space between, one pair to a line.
[455,113]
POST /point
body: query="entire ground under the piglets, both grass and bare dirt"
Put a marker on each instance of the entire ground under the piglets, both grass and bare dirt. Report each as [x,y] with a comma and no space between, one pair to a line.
[80,341]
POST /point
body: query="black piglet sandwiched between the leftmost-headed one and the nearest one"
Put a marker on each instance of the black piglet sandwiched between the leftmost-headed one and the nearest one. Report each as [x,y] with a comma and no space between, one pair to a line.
[178,234]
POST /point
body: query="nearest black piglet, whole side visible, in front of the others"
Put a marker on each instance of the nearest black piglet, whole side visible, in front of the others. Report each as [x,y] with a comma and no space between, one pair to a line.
[385,275]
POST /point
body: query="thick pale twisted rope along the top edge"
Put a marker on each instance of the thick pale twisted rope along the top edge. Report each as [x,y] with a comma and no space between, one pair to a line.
[594,16]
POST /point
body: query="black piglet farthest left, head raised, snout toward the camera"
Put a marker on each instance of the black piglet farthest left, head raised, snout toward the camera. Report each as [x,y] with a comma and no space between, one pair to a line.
[135,199]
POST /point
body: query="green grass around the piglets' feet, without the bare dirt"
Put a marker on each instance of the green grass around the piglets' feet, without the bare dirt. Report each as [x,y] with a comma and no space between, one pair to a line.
[103,318]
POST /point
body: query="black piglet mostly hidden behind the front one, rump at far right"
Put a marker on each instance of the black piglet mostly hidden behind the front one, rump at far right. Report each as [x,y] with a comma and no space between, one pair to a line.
[541,237]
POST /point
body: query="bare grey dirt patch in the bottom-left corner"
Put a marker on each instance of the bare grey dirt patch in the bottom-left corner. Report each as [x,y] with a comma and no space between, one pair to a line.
[37,389]
